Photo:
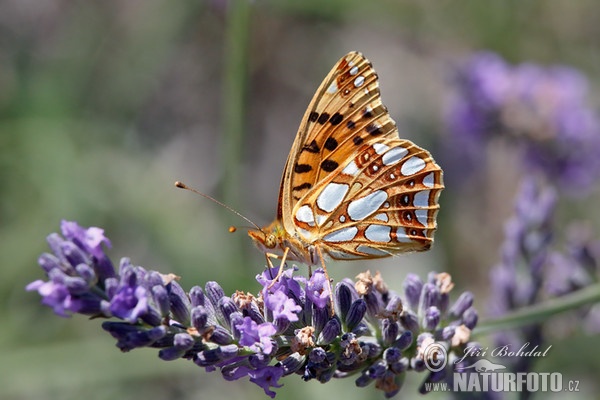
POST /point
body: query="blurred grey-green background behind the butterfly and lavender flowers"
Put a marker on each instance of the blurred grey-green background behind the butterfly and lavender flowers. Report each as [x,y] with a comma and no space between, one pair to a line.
[103,105]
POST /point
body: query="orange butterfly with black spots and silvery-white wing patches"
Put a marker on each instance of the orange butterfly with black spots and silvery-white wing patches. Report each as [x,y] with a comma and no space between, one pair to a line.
[351,188]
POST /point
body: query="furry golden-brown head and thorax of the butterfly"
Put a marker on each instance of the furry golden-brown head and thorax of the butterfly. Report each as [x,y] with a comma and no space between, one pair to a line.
[274,239]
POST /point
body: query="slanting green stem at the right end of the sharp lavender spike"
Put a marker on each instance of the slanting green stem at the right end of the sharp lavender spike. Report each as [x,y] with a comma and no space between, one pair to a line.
[540,312]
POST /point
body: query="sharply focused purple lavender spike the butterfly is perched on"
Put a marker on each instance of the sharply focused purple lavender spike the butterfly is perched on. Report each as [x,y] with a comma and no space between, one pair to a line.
[288,328]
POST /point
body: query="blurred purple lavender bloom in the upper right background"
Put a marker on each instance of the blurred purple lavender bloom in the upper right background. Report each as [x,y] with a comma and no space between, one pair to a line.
[544,111]
